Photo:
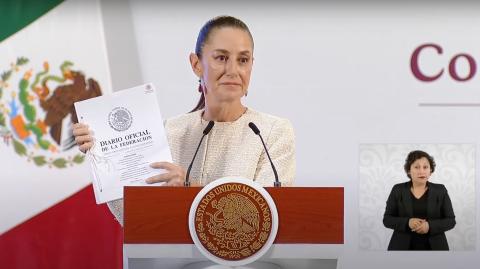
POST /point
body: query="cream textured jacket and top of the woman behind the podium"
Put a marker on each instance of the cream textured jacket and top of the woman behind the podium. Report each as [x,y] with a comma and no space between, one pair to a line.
[230,149]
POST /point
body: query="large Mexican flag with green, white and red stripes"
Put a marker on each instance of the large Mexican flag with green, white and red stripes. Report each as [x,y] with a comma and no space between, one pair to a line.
[52,54]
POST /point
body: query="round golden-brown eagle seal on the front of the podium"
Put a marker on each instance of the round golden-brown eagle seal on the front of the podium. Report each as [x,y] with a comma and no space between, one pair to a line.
[233,221]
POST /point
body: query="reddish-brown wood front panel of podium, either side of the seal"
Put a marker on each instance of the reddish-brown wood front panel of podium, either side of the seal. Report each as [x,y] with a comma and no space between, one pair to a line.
[307,215]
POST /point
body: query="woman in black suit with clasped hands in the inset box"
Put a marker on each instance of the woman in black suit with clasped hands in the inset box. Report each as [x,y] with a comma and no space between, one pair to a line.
[419,211]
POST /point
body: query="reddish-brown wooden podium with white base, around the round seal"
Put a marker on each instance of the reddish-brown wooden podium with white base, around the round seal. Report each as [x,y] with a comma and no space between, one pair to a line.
[156,235]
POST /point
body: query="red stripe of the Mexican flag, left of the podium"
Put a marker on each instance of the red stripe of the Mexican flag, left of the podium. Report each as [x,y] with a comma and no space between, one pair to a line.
[75,233]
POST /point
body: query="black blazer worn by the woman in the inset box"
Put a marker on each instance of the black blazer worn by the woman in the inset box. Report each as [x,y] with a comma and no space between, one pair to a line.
[399,210]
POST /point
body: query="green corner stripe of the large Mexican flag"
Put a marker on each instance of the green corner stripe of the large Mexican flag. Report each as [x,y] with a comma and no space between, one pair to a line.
[16,14]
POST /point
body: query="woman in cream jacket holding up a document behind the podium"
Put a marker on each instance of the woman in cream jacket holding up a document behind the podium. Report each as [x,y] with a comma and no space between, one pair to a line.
[222,62]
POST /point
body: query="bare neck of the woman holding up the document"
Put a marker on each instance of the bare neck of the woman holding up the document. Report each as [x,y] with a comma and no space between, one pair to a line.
[224,113]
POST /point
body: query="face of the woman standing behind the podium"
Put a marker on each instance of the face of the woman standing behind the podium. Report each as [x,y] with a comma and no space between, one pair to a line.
[226,64]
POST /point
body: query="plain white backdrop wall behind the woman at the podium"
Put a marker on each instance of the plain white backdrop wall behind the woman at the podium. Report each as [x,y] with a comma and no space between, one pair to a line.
[341,73]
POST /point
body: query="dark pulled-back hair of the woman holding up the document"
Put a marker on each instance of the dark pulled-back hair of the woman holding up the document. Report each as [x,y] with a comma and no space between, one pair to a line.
[204,34]
